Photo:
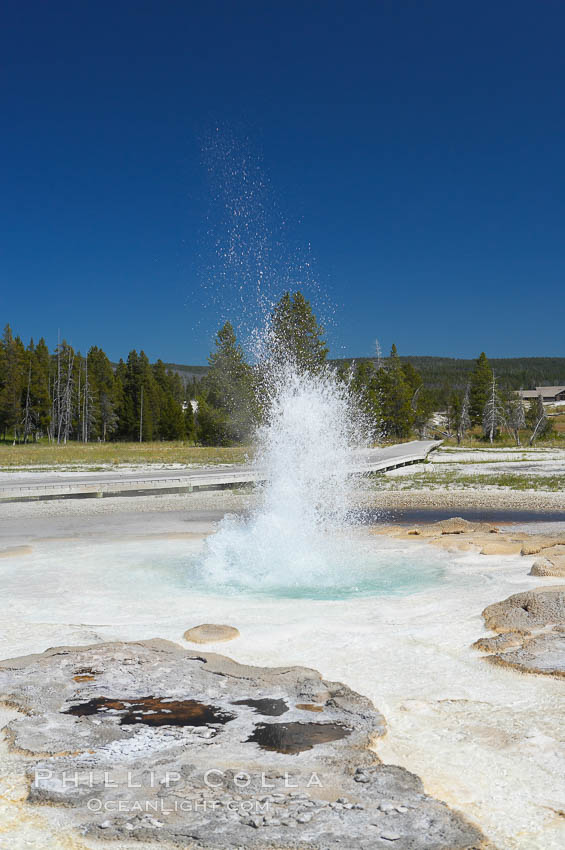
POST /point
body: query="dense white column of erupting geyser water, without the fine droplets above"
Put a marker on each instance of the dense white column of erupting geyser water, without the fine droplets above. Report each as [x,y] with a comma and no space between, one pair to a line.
[295,537]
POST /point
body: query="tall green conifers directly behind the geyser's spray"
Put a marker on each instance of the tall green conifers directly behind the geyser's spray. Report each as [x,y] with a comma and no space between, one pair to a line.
[391,394]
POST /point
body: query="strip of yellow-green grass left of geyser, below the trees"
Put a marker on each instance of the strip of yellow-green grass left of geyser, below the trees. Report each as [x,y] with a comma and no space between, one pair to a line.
[97,455]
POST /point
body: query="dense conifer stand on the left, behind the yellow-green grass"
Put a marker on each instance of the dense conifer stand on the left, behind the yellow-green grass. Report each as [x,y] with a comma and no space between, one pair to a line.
[63,395]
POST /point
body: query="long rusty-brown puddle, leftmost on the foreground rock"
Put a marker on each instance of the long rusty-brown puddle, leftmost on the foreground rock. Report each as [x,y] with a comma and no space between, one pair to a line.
[153,711]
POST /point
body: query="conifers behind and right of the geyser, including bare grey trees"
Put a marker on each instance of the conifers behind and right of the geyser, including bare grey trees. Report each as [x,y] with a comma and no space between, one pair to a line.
[395,398]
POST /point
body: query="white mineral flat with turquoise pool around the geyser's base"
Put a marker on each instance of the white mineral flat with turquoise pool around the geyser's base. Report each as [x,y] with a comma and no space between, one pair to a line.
[486,740]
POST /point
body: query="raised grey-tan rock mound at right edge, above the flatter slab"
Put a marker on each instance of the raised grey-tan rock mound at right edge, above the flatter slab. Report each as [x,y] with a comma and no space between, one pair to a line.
[527,611]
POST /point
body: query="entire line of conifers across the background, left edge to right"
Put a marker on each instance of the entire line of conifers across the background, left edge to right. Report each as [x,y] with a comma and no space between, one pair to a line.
[63,395]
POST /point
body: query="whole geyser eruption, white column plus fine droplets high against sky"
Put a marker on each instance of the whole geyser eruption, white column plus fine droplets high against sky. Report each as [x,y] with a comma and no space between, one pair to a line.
[296,535]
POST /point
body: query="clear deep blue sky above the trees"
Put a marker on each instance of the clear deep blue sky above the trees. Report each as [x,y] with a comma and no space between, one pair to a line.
[418,147]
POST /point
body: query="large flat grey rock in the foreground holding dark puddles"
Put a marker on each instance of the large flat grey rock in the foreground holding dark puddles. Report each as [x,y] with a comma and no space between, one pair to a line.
[149,695]
